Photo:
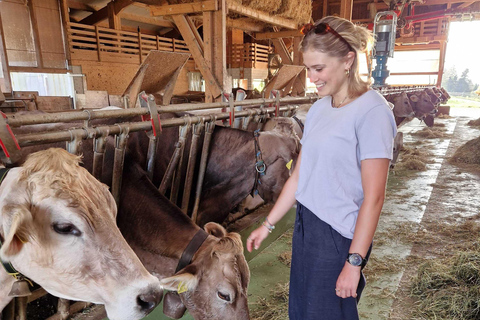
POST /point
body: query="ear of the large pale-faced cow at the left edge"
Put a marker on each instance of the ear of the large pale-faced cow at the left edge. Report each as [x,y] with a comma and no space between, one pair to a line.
[18,233]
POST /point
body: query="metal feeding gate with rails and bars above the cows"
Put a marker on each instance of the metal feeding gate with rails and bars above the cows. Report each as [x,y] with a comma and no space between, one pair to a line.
[151,122]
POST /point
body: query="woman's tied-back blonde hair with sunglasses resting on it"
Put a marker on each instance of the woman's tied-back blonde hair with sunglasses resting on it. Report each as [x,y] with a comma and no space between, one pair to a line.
[359,38]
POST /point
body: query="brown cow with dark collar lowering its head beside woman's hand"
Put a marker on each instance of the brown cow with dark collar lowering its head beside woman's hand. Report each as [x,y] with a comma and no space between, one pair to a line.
[142,218]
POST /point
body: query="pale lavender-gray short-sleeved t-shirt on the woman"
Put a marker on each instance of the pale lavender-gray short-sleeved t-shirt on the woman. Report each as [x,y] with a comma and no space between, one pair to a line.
[334,143]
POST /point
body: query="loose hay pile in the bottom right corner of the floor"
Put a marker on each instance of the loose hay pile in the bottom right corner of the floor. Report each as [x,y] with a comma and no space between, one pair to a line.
[449,288]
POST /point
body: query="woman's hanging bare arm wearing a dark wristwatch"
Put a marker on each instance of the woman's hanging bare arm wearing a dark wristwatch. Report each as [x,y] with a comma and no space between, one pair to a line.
[374,180]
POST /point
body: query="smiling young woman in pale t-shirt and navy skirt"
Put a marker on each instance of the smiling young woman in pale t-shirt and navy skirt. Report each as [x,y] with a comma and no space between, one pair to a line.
[340,177]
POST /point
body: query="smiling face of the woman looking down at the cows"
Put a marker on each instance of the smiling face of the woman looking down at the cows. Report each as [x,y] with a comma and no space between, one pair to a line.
[326,72]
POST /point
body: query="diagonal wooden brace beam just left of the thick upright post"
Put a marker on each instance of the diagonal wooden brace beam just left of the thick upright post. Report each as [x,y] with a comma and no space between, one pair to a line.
[197,54]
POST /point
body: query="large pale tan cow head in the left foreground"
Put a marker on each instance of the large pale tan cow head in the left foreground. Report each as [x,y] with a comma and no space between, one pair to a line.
[58,223]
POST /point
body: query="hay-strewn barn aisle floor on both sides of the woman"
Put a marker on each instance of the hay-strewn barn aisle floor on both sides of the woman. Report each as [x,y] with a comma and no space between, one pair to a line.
[431,215]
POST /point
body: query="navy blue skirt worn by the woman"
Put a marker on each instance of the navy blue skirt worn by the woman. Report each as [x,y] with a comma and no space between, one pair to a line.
[318,256]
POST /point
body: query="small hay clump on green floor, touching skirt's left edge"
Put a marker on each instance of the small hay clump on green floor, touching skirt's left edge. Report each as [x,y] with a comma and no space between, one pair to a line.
[274,308]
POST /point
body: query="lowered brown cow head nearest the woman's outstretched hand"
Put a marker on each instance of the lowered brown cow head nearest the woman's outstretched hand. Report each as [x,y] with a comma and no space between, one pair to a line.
[214,285]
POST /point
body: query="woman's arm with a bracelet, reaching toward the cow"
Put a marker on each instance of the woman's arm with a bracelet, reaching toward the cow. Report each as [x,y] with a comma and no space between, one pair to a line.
[284,202]
